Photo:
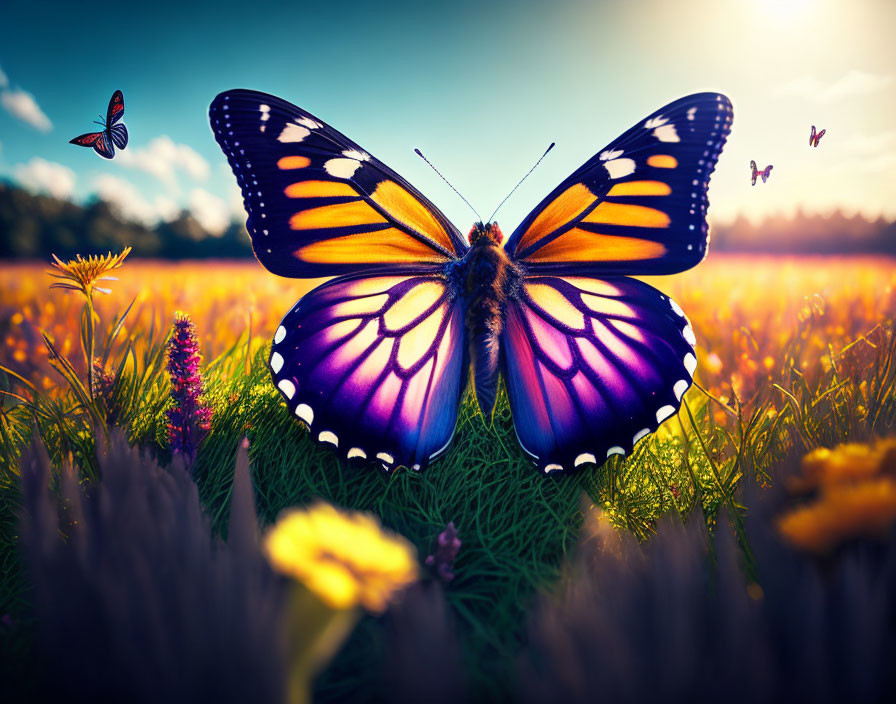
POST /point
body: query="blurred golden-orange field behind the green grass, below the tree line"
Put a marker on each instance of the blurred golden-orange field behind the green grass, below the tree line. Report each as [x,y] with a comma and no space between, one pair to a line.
[749,313]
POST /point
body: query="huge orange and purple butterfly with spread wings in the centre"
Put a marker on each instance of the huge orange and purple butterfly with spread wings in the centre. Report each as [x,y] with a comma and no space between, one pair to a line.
[375,361]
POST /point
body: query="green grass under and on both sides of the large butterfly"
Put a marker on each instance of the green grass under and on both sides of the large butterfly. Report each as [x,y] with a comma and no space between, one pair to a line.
[516,525]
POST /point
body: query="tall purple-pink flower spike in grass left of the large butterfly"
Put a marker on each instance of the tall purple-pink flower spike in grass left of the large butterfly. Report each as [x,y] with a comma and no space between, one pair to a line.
[189,419]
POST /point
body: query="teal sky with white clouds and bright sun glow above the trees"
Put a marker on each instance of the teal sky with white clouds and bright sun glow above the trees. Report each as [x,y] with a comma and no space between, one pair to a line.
[481,88]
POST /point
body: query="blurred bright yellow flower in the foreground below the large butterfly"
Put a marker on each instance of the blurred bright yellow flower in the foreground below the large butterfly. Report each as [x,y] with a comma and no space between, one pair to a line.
[344,557]
